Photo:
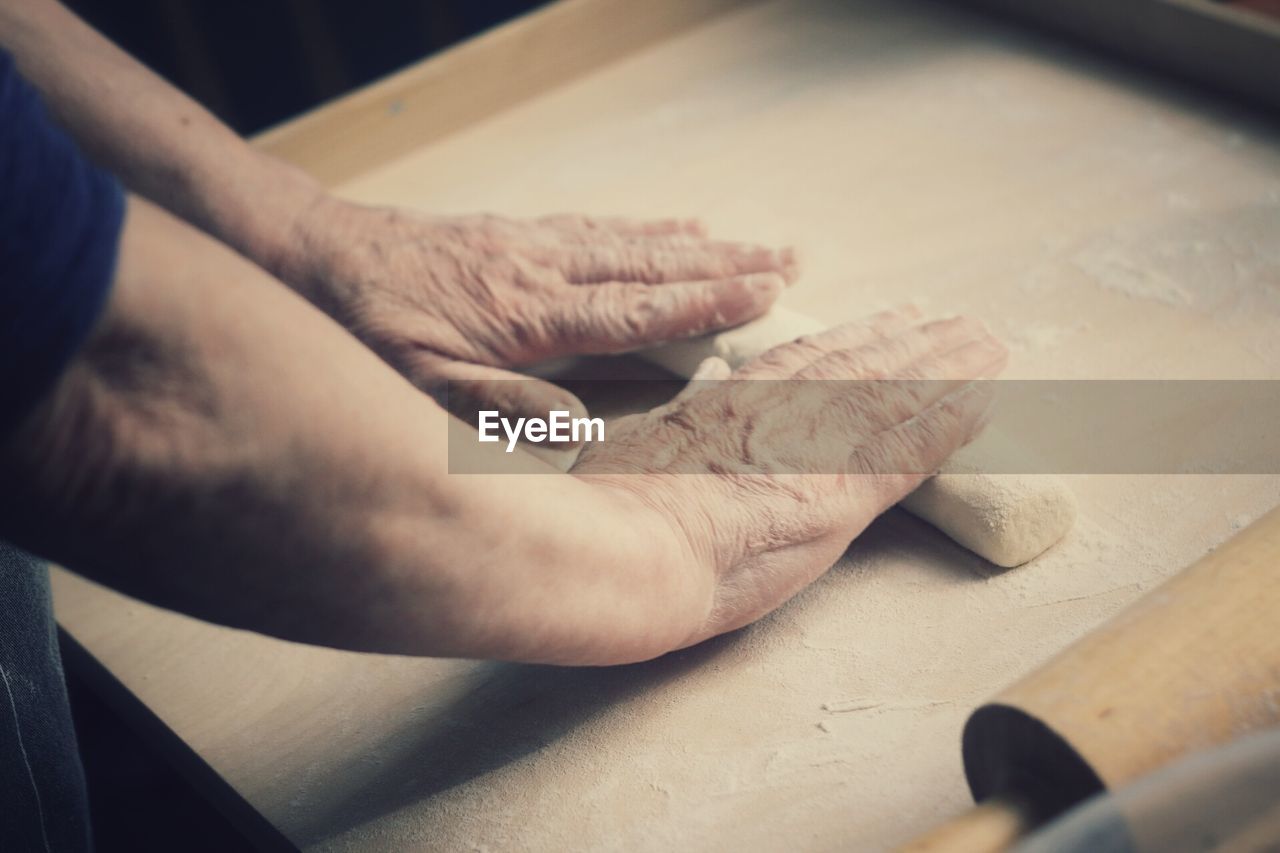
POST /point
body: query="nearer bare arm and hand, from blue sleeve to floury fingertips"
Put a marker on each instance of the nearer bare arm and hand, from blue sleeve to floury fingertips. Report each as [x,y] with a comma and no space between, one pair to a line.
[196,457]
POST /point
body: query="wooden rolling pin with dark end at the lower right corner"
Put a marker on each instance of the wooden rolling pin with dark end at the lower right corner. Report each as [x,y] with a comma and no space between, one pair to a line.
[1190,667]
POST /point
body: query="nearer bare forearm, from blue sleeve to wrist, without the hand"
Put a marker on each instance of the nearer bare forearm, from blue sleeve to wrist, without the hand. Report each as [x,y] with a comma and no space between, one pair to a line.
[223,449]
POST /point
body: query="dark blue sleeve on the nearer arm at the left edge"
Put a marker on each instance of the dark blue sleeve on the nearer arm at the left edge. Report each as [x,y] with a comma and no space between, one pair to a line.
[61,222]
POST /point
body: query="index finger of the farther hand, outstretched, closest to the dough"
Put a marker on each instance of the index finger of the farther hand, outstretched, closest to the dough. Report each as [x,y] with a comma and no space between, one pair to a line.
[623,317]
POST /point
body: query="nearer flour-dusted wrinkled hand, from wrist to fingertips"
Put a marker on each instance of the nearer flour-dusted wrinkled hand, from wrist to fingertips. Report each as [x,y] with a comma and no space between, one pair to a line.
[760,537]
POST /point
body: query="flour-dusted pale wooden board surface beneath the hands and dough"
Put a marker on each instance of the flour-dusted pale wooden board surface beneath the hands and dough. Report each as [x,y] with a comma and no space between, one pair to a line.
[1105,222]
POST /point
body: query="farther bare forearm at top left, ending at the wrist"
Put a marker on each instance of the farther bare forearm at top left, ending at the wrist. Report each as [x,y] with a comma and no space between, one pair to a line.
[161,143]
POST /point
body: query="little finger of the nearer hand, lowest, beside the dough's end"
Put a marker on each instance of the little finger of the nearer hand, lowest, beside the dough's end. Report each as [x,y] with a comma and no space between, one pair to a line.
[897,460]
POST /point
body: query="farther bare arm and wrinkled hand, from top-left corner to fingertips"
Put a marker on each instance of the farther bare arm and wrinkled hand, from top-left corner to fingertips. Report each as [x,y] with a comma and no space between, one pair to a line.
[440,298]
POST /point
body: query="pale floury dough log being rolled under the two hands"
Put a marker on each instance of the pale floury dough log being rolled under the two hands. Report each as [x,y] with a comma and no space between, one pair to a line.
[1009,519]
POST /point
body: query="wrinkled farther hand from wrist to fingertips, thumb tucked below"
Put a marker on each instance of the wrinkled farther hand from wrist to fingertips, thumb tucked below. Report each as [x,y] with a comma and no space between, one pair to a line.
[463,299]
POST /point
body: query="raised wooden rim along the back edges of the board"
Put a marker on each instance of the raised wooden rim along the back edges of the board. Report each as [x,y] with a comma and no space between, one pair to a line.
[1235,51]
